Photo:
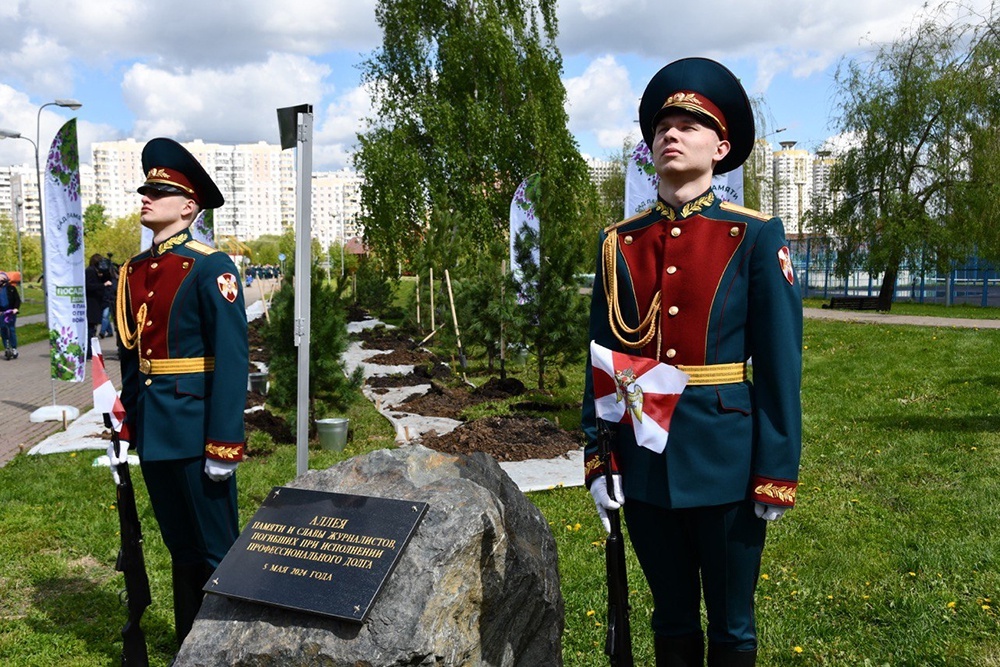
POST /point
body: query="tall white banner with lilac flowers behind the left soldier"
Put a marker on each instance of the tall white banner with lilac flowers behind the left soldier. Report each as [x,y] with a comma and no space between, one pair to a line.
[64,281]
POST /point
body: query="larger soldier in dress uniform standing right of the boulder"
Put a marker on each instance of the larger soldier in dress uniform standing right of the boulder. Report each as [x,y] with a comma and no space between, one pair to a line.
[704,285]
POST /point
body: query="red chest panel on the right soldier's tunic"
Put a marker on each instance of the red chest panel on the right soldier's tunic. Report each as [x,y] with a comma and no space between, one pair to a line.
[686,261]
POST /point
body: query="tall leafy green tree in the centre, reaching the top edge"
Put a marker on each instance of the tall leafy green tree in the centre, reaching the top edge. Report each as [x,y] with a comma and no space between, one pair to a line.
[468,102]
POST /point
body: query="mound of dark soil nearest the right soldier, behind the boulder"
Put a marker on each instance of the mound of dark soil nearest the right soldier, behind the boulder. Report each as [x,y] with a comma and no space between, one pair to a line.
[506,439]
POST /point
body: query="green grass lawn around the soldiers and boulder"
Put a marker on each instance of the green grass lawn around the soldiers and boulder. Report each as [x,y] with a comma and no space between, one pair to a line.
[890,557]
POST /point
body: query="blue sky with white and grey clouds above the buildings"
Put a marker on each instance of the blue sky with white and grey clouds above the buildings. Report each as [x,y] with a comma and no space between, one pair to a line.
[217,70]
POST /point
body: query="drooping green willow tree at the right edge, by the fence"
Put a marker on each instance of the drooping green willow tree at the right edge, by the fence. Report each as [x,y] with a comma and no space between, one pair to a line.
[916,181]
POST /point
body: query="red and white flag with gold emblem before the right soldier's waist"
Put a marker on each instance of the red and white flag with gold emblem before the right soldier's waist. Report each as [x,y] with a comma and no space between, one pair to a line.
[638,391]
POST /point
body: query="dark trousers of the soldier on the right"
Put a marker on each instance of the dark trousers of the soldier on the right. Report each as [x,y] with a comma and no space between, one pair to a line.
[710,550]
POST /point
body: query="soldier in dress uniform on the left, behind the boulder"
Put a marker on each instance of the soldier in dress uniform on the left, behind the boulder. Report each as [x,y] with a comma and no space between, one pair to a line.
[182,328]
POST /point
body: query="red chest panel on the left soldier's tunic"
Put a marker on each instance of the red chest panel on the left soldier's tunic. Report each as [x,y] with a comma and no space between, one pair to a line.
[155,282]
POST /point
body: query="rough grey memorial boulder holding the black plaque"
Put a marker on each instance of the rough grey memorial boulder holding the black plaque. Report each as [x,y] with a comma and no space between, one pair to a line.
[478,583]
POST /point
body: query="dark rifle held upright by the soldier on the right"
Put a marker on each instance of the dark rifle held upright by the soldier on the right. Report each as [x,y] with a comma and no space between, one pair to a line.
[618,643]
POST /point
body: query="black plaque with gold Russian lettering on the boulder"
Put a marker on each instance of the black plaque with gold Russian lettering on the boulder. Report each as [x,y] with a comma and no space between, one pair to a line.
[323,553]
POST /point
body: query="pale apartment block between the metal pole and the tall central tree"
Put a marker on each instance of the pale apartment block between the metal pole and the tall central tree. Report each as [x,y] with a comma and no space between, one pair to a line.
[336,207]
